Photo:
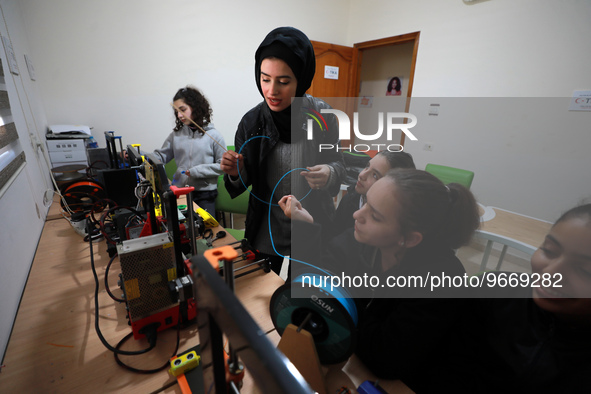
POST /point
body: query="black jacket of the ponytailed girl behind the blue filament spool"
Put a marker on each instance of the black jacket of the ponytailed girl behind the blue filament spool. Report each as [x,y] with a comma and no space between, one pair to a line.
[399,329]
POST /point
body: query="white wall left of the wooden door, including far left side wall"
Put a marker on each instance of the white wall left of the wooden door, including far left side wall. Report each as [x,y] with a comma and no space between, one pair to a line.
[115,65]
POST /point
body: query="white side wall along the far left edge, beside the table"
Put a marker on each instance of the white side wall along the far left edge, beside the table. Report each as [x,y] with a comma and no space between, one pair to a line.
[22,213]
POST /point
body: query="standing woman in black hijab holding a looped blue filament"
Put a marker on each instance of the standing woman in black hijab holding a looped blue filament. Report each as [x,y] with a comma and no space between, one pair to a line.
[272,139]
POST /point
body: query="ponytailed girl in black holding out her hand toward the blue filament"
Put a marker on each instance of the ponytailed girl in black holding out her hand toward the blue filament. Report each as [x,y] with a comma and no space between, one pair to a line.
[405,234]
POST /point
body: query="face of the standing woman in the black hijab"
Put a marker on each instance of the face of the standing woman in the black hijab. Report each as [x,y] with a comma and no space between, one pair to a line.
[278,83]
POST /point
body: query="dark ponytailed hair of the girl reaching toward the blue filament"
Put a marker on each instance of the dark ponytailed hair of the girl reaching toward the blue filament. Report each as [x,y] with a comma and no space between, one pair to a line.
[446,215]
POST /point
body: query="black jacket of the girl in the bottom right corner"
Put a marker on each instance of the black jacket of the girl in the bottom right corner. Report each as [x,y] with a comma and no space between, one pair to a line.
[510,345]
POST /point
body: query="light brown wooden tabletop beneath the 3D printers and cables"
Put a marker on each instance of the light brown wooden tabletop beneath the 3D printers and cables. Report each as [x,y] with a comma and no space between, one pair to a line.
[54,346]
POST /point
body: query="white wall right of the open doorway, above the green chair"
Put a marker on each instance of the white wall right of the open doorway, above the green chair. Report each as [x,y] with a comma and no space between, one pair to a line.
[504,49]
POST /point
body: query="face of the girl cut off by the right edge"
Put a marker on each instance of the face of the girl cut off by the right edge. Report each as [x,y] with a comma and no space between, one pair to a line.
[564,259]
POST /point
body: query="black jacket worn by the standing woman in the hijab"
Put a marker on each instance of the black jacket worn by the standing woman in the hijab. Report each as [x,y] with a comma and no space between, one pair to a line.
[258,122]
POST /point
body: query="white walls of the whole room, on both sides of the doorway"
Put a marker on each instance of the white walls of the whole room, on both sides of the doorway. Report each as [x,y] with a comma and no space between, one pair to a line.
[115,65]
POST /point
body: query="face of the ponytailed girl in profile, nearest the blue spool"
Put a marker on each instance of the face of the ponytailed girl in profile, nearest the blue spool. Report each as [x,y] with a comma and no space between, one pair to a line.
[376,223]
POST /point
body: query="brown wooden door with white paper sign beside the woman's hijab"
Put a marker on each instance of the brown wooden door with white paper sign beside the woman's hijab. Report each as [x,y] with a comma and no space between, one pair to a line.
[346,60]
